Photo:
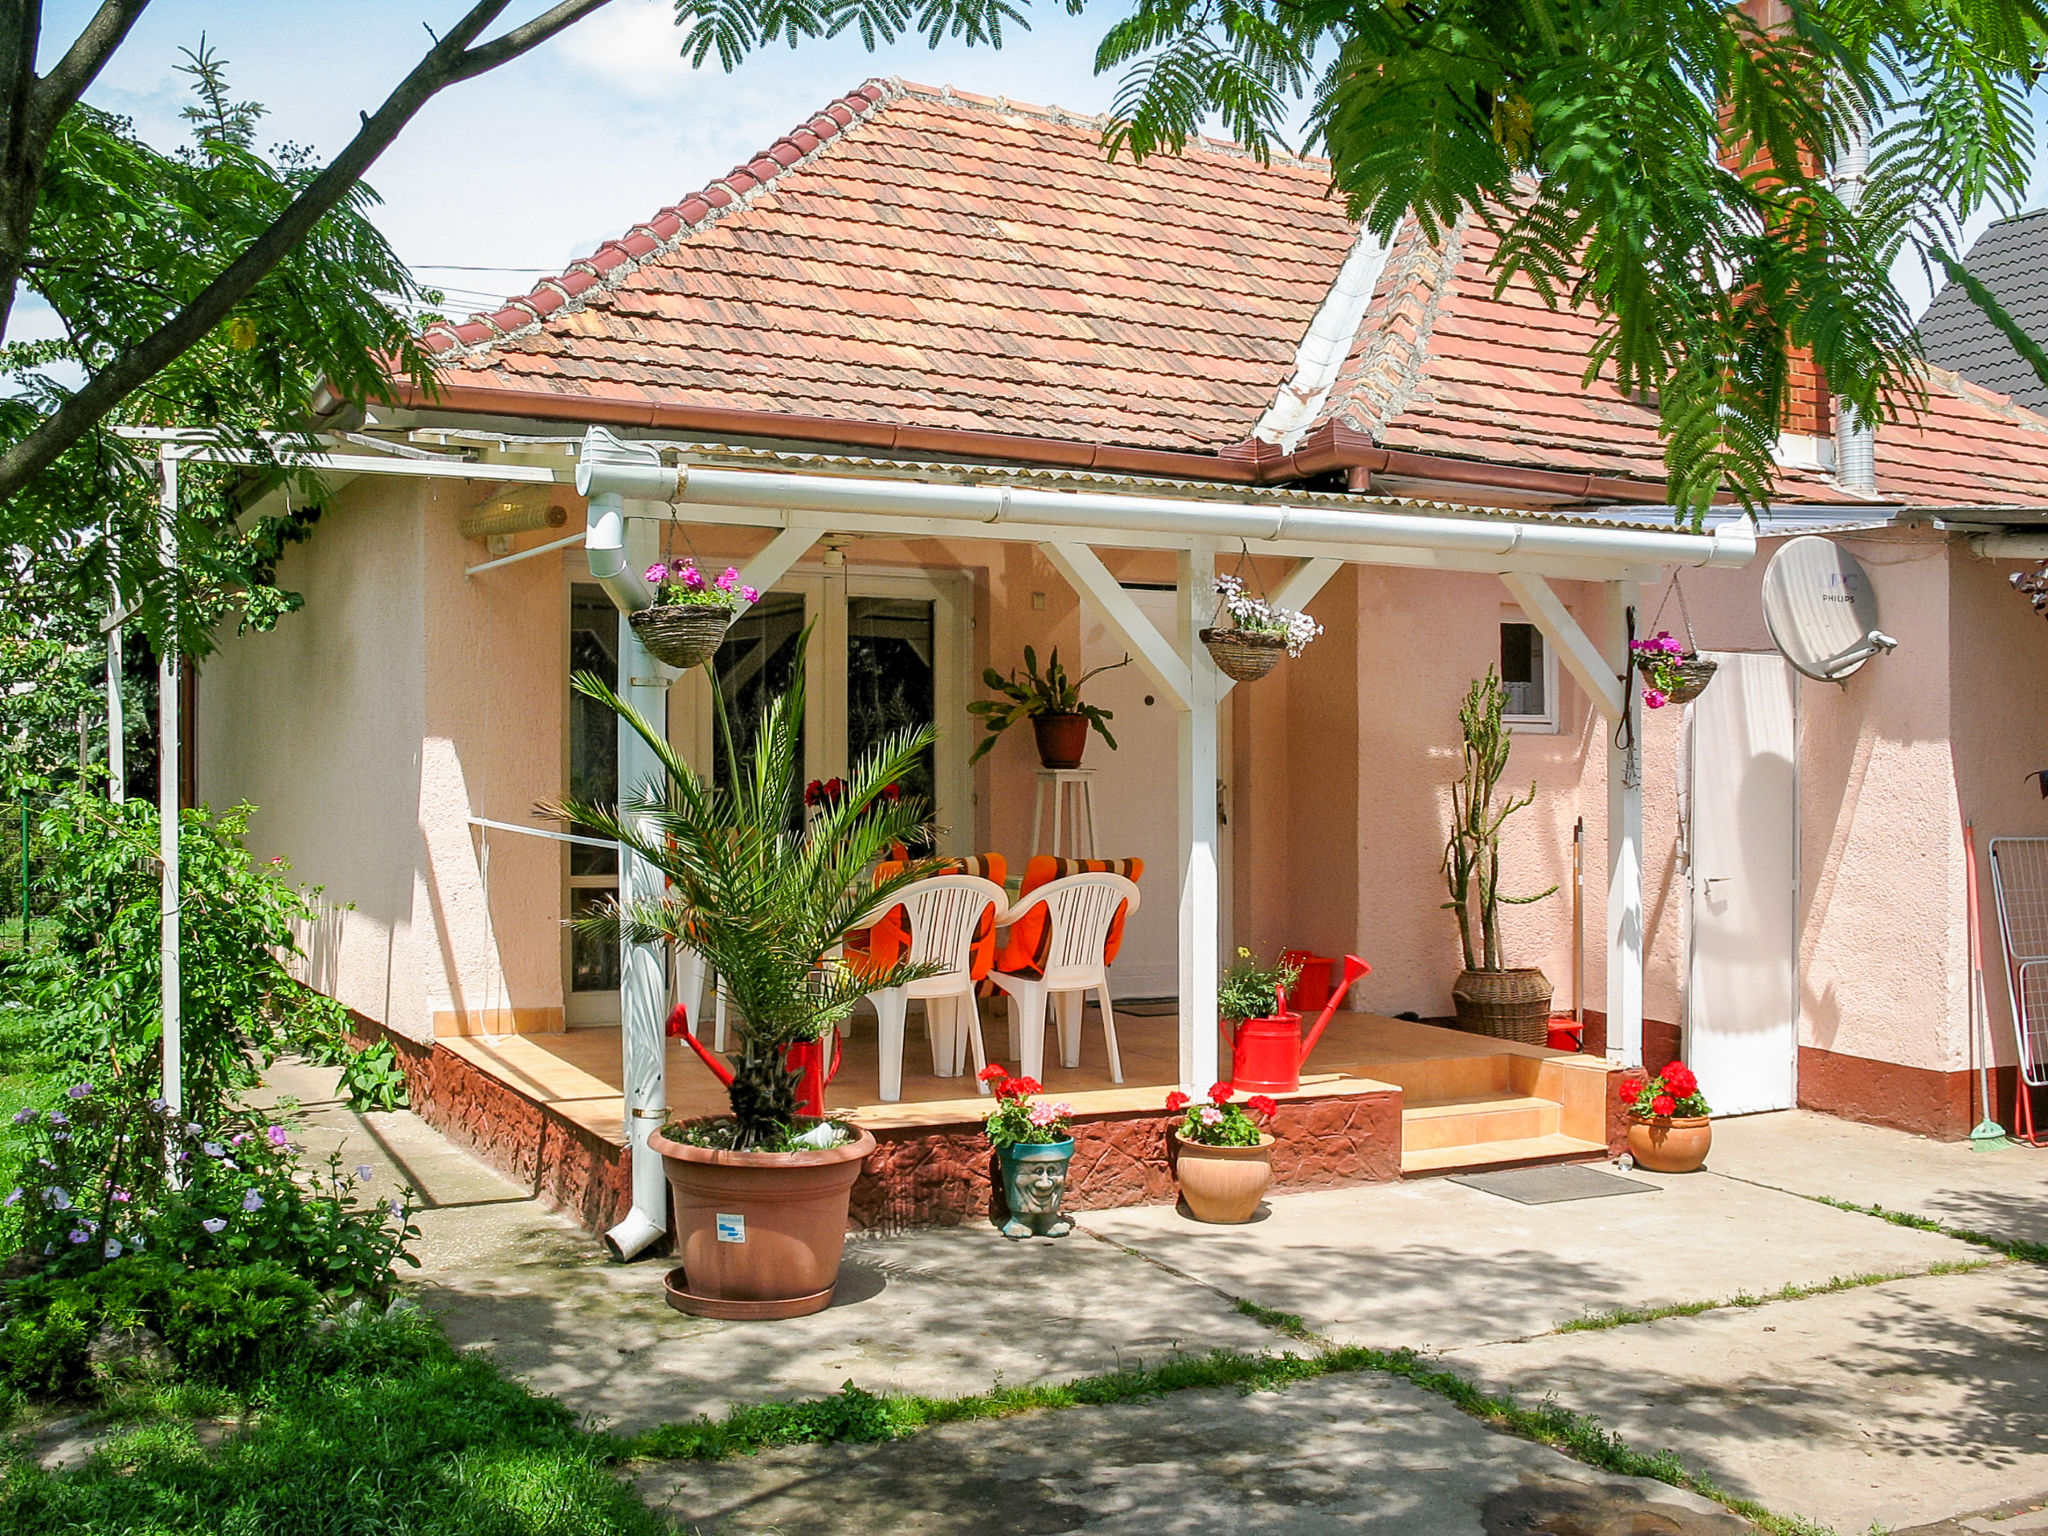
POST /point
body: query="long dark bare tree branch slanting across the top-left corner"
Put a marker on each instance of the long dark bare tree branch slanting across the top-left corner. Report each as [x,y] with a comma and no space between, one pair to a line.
[450,62]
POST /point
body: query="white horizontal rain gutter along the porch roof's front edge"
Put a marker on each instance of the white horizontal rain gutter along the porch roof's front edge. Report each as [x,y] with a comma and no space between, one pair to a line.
[607,468]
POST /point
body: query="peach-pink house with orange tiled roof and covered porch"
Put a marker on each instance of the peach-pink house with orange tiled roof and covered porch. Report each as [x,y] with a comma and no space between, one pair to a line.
[941,378]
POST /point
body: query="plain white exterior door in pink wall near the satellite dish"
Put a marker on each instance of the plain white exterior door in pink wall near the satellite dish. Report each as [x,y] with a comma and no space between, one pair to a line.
[1742,996]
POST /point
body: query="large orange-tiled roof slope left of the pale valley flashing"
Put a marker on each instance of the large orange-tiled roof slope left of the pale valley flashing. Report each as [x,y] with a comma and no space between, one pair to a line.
[933,259]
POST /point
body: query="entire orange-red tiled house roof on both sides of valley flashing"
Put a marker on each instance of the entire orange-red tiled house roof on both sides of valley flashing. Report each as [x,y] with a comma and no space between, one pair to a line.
[921,259]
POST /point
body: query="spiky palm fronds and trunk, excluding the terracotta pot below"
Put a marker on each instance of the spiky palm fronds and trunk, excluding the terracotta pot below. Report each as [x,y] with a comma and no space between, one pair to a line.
[761,890]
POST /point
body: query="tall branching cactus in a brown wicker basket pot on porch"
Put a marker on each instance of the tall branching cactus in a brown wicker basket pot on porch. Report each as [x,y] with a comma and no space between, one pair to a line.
[1492,998]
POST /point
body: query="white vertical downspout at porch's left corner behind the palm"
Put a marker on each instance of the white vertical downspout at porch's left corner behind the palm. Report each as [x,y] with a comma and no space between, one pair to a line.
[642,986]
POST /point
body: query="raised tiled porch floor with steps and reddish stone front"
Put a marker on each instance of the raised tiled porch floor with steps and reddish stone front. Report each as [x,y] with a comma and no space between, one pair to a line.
[1451,1101]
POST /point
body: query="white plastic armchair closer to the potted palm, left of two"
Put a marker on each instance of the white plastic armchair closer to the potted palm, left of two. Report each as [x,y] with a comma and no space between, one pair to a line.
[943,916]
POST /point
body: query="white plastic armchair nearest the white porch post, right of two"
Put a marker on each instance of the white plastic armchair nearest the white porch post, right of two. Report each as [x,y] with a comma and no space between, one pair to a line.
[1080,910]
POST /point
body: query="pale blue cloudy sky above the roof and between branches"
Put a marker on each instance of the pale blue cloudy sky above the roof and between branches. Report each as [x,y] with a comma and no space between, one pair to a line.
[542,161]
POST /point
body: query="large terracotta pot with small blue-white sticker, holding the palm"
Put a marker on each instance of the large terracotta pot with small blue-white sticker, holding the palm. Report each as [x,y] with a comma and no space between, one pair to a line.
[759,1234]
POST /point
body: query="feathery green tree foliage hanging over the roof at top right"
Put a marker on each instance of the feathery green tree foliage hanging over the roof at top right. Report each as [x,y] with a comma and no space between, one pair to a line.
[1672,165]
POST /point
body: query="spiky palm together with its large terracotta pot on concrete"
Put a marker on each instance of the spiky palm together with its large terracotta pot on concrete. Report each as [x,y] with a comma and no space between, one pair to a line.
[767,896]
